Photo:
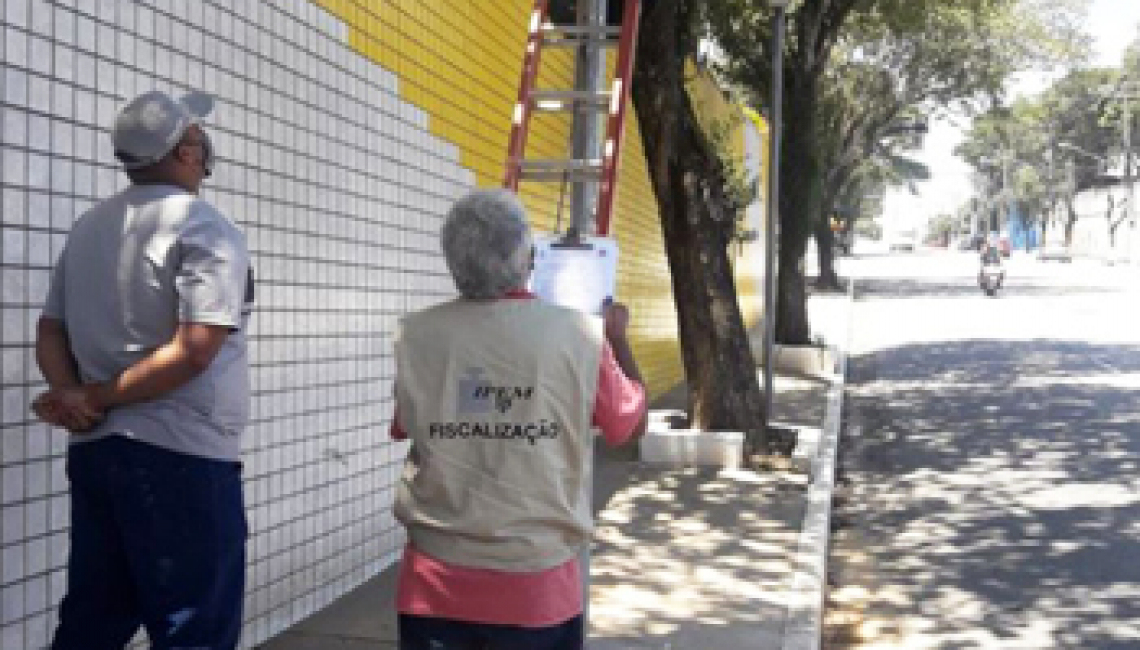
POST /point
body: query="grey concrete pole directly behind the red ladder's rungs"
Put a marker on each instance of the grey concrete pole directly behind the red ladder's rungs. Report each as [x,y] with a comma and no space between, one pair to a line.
[590,75]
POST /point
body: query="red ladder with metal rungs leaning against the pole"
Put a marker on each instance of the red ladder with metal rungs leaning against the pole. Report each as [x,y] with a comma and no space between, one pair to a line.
[604,170]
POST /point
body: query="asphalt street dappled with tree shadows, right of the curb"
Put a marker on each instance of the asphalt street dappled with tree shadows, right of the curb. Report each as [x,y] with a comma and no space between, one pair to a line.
[989,489]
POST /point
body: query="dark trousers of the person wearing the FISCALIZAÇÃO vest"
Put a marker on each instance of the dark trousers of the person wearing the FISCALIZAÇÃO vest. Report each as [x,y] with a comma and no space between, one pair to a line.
[427,633]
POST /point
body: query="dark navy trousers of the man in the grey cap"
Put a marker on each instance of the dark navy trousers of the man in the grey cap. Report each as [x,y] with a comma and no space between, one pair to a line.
[158,540]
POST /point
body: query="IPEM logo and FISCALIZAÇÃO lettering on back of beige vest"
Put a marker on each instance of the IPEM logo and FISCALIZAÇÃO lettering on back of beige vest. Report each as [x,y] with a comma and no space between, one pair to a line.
[477,396]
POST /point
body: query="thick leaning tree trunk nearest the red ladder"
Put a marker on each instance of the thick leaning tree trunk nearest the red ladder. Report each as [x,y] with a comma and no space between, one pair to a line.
[689,184]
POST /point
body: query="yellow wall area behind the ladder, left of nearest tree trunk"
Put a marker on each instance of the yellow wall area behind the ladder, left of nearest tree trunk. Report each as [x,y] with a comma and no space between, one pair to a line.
[460,61]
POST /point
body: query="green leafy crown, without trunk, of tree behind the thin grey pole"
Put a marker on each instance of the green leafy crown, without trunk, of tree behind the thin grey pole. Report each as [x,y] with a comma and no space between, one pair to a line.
[892,63]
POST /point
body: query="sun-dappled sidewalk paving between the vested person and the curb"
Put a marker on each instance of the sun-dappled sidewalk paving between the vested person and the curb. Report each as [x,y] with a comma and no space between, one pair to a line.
[697,557]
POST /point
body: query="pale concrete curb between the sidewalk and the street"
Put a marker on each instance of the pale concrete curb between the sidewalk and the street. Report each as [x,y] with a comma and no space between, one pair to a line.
[804,622]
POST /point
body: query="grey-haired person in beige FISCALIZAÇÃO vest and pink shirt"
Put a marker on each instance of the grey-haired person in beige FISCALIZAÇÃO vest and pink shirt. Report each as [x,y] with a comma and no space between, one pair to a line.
[498,393]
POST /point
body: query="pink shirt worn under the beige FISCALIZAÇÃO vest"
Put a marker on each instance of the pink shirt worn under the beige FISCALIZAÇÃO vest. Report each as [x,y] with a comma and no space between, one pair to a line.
[429,587]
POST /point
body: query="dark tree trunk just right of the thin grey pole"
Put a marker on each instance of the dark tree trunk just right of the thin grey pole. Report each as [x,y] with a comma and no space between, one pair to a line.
[801,197]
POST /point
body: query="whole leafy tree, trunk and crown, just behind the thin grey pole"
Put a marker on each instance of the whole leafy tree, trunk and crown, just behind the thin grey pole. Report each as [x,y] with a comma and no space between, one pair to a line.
[858,69]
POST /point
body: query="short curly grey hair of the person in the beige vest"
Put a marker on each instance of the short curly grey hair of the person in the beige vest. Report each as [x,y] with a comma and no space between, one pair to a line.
[487,243]
